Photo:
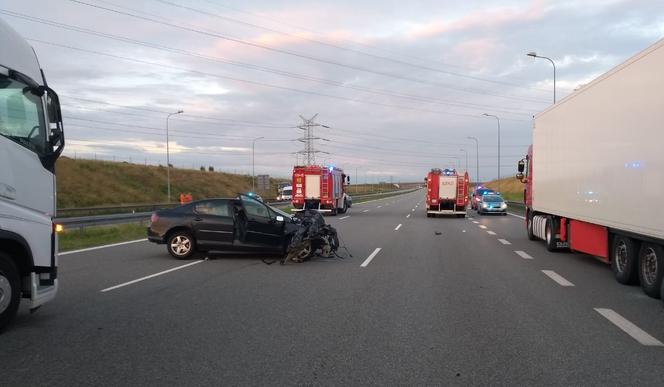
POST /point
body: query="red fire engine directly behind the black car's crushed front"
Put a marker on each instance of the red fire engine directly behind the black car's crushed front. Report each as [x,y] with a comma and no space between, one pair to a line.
[320,188]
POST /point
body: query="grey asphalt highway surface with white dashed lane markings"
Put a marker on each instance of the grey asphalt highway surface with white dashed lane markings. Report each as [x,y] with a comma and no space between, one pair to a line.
[422,301]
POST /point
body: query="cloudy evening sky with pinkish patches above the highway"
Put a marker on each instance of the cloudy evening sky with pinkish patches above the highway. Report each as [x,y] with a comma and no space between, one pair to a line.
[401,85]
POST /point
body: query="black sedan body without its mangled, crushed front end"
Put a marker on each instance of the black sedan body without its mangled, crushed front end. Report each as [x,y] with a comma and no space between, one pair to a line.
[234,224]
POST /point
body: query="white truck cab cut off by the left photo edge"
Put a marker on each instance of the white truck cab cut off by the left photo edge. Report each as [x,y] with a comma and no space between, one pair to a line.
[31,139]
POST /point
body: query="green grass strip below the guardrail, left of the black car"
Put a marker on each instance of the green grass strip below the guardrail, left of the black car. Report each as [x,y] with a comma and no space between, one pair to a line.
[75,239]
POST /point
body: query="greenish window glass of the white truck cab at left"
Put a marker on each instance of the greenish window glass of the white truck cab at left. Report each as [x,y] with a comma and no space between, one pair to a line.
[22,115]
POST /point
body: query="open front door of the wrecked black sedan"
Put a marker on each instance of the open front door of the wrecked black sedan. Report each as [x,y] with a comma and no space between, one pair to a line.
[263,228]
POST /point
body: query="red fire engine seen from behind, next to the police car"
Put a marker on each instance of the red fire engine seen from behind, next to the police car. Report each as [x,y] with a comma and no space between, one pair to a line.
[447,192]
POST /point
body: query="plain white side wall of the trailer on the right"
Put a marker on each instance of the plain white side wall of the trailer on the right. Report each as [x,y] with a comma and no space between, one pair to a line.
[598,155]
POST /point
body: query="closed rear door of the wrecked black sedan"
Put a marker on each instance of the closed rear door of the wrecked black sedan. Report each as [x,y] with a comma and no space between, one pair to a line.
[213,223]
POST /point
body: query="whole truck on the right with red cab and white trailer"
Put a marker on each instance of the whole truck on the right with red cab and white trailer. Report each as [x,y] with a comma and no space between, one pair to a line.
[595,172]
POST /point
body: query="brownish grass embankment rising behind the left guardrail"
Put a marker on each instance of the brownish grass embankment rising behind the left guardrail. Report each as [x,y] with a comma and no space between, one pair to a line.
[88,183]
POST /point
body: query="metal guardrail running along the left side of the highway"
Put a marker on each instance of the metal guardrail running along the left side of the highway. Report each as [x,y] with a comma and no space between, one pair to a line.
[143,216]
